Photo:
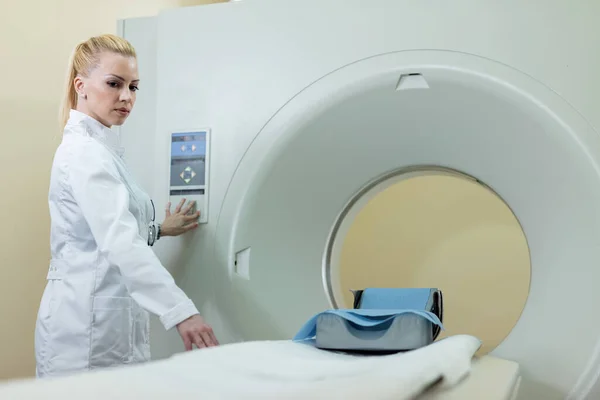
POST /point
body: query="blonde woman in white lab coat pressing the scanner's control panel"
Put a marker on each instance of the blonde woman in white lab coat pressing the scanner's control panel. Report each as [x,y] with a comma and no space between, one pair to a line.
[104,277]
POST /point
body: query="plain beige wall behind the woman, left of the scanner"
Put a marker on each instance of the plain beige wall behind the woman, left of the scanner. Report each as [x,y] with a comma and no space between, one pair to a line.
[36,38]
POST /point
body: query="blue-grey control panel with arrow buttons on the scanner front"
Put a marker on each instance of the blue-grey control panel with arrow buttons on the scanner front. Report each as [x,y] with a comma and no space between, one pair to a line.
[189,170]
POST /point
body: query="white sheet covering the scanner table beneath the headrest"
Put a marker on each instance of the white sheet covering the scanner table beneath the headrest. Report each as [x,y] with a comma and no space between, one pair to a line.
[265,370]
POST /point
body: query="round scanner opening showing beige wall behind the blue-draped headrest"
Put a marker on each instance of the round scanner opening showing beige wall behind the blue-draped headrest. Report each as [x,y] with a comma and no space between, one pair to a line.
[437,229]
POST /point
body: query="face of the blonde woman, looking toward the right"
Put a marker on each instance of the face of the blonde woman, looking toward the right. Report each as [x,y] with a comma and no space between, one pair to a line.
[107,94]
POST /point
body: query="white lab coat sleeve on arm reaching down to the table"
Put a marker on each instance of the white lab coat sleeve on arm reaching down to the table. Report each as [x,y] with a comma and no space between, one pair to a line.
[104,200]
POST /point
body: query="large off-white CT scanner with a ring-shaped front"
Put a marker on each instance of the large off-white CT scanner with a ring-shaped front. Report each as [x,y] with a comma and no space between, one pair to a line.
[306,106]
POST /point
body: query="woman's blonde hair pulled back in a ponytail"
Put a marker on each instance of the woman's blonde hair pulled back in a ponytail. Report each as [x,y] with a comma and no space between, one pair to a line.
[84,58]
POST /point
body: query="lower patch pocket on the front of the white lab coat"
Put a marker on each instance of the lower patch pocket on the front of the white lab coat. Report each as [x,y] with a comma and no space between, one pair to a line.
[111,332]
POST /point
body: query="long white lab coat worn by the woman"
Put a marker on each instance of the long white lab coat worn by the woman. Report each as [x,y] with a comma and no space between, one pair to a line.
[103,277]
